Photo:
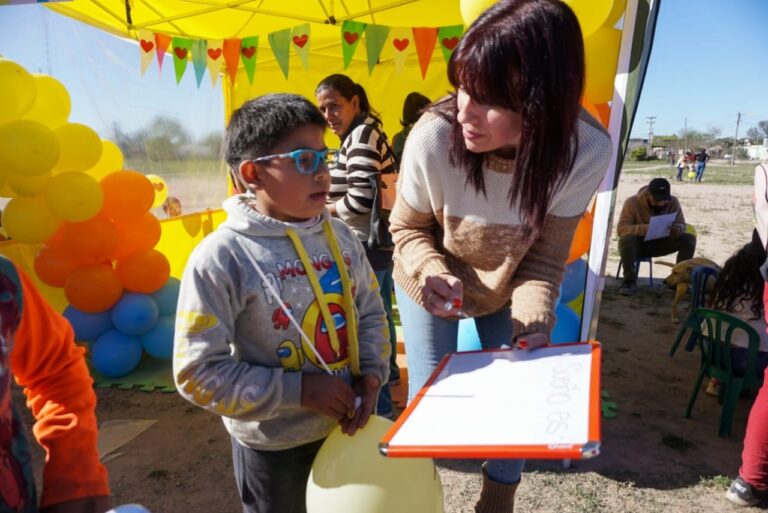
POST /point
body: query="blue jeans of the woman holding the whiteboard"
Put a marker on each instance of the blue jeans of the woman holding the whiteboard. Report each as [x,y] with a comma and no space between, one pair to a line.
[428,338]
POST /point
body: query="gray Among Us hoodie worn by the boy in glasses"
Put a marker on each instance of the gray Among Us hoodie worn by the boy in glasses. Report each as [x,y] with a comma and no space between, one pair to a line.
[236,352]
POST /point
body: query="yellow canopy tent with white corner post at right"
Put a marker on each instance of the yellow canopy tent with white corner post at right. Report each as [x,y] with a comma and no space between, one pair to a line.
[387,85]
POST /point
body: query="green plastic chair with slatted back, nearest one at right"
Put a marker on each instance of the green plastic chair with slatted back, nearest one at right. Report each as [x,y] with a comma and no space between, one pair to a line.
[714,330]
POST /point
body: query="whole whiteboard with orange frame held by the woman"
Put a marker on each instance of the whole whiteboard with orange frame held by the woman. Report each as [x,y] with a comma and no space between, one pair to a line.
[505,403]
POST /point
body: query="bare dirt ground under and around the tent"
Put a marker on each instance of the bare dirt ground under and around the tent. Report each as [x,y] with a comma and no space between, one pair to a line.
[653,459]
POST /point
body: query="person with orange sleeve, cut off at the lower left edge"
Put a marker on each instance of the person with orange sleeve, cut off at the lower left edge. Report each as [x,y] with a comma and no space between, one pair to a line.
[37,348]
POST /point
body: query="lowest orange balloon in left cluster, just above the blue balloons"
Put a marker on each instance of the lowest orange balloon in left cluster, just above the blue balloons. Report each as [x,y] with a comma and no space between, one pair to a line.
[93,288]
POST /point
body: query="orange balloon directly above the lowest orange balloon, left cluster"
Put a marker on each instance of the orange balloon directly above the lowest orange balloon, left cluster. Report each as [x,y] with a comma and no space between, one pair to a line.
[91,242]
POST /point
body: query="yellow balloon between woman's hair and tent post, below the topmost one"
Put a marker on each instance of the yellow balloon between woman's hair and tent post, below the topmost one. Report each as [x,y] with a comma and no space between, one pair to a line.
[601,52]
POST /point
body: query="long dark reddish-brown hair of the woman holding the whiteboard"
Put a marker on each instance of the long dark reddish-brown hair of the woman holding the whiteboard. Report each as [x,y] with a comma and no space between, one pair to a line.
[526,56]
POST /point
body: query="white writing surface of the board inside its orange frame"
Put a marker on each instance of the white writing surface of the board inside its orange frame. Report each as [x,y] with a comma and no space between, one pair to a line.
[515,397]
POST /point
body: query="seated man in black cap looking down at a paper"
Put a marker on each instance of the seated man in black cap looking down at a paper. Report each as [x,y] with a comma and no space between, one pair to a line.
[652,200]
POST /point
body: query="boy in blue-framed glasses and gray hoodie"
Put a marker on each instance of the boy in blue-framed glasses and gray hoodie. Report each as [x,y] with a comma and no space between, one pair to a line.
[280,326]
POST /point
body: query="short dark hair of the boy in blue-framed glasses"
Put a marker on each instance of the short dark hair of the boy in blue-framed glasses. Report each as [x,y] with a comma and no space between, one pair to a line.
[261,123]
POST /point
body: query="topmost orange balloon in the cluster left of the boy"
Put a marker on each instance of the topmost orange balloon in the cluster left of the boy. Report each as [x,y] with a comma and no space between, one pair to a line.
[126,194]
